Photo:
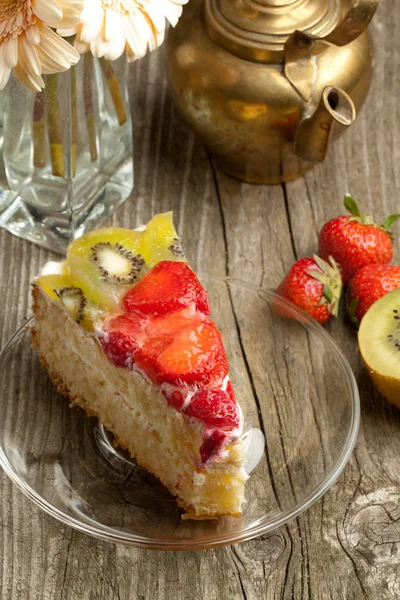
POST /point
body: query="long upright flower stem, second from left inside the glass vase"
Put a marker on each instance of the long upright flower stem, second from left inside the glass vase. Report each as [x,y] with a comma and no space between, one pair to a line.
[54,126]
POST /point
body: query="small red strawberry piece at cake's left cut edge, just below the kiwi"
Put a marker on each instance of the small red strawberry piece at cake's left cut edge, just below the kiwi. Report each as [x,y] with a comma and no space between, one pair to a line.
[121,338]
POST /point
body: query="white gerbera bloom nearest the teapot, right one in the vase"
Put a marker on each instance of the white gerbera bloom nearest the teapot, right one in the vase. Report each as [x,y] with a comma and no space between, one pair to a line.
[108,27]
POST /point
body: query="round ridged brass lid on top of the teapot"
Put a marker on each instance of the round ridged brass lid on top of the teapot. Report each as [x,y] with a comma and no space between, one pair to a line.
[258,29]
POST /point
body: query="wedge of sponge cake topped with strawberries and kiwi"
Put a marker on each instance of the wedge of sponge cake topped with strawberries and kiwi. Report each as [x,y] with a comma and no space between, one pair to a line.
[123,327]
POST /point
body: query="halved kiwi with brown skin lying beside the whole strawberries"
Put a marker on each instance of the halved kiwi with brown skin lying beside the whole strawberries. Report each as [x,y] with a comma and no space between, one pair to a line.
[379,343]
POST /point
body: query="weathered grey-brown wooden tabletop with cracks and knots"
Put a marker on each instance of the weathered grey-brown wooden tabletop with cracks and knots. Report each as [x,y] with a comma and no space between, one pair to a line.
[347,546]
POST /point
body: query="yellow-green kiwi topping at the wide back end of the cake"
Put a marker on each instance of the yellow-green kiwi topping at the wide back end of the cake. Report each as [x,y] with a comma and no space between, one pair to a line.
[103,264]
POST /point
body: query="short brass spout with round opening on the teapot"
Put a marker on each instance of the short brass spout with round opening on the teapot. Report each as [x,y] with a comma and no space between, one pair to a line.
[314,131]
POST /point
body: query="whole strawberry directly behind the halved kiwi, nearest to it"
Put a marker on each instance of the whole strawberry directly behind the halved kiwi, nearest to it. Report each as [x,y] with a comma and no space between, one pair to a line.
[367,286]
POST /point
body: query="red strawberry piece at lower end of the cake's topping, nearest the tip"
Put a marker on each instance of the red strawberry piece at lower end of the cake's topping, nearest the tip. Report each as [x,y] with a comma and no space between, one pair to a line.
[216,408]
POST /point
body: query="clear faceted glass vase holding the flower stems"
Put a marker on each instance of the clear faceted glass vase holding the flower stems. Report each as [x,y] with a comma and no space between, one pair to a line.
[66,156]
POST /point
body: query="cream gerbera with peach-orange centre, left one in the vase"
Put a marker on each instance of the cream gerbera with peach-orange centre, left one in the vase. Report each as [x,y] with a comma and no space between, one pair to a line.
[29,46]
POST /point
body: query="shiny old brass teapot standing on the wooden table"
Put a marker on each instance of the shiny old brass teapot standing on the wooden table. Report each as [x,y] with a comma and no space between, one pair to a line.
[265,83]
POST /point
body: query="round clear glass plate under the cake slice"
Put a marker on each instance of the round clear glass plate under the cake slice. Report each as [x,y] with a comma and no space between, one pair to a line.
[292,382]
